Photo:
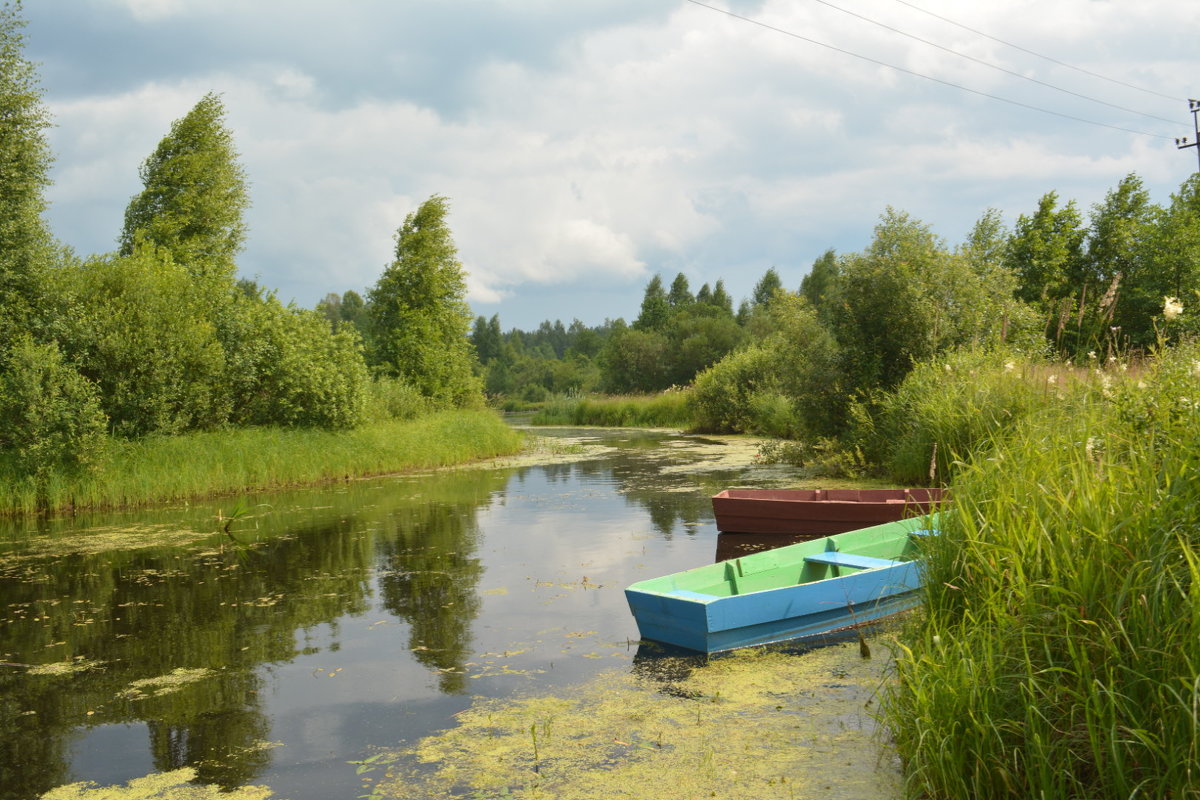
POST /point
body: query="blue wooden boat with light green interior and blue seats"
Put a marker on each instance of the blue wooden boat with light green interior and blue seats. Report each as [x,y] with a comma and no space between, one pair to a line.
[789,593]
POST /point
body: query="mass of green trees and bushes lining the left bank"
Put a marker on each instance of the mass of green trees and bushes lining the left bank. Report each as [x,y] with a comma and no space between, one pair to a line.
[160,336]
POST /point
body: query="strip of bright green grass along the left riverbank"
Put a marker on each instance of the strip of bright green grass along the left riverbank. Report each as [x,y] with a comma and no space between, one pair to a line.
[160,470]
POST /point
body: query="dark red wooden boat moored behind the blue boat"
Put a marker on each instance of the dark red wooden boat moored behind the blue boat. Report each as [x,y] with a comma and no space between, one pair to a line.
[758,520]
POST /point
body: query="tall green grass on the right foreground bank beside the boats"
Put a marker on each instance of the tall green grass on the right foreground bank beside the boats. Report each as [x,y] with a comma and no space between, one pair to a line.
[1059,651]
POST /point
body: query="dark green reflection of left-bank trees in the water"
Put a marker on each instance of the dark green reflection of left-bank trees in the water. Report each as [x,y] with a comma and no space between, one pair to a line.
[115,618]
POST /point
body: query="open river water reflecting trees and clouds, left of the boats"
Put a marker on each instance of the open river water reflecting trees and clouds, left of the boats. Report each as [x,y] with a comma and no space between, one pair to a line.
[333,622]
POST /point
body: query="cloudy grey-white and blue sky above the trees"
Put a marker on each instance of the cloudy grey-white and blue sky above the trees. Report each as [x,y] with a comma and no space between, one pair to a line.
[590,145]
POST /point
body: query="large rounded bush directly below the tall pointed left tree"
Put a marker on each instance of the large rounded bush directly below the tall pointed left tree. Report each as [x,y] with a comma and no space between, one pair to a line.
[139,328]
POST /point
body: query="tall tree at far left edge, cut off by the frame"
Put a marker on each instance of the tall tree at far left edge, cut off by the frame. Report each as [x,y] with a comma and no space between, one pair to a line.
[27,249]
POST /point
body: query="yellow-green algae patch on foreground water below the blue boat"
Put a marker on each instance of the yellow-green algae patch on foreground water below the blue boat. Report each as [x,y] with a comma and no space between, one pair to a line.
[757,725]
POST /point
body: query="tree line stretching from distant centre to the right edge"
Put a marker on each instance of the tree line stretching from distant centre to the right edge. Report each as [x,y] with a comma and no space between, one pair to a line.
[795,363]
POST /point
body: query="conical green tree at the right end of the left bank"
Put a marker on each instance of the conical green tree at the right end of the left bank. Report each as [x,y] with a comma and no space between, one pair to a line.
[419,315]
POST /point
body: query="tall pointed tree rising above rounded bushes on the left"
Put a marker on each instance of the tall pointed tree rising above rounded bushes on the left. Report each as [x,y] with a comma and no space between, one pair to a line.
[194,197]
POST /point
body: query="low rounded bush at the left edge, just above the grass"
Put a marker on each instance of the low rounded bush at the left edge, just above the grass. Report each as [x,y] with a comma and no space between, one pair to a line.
[51,422]
